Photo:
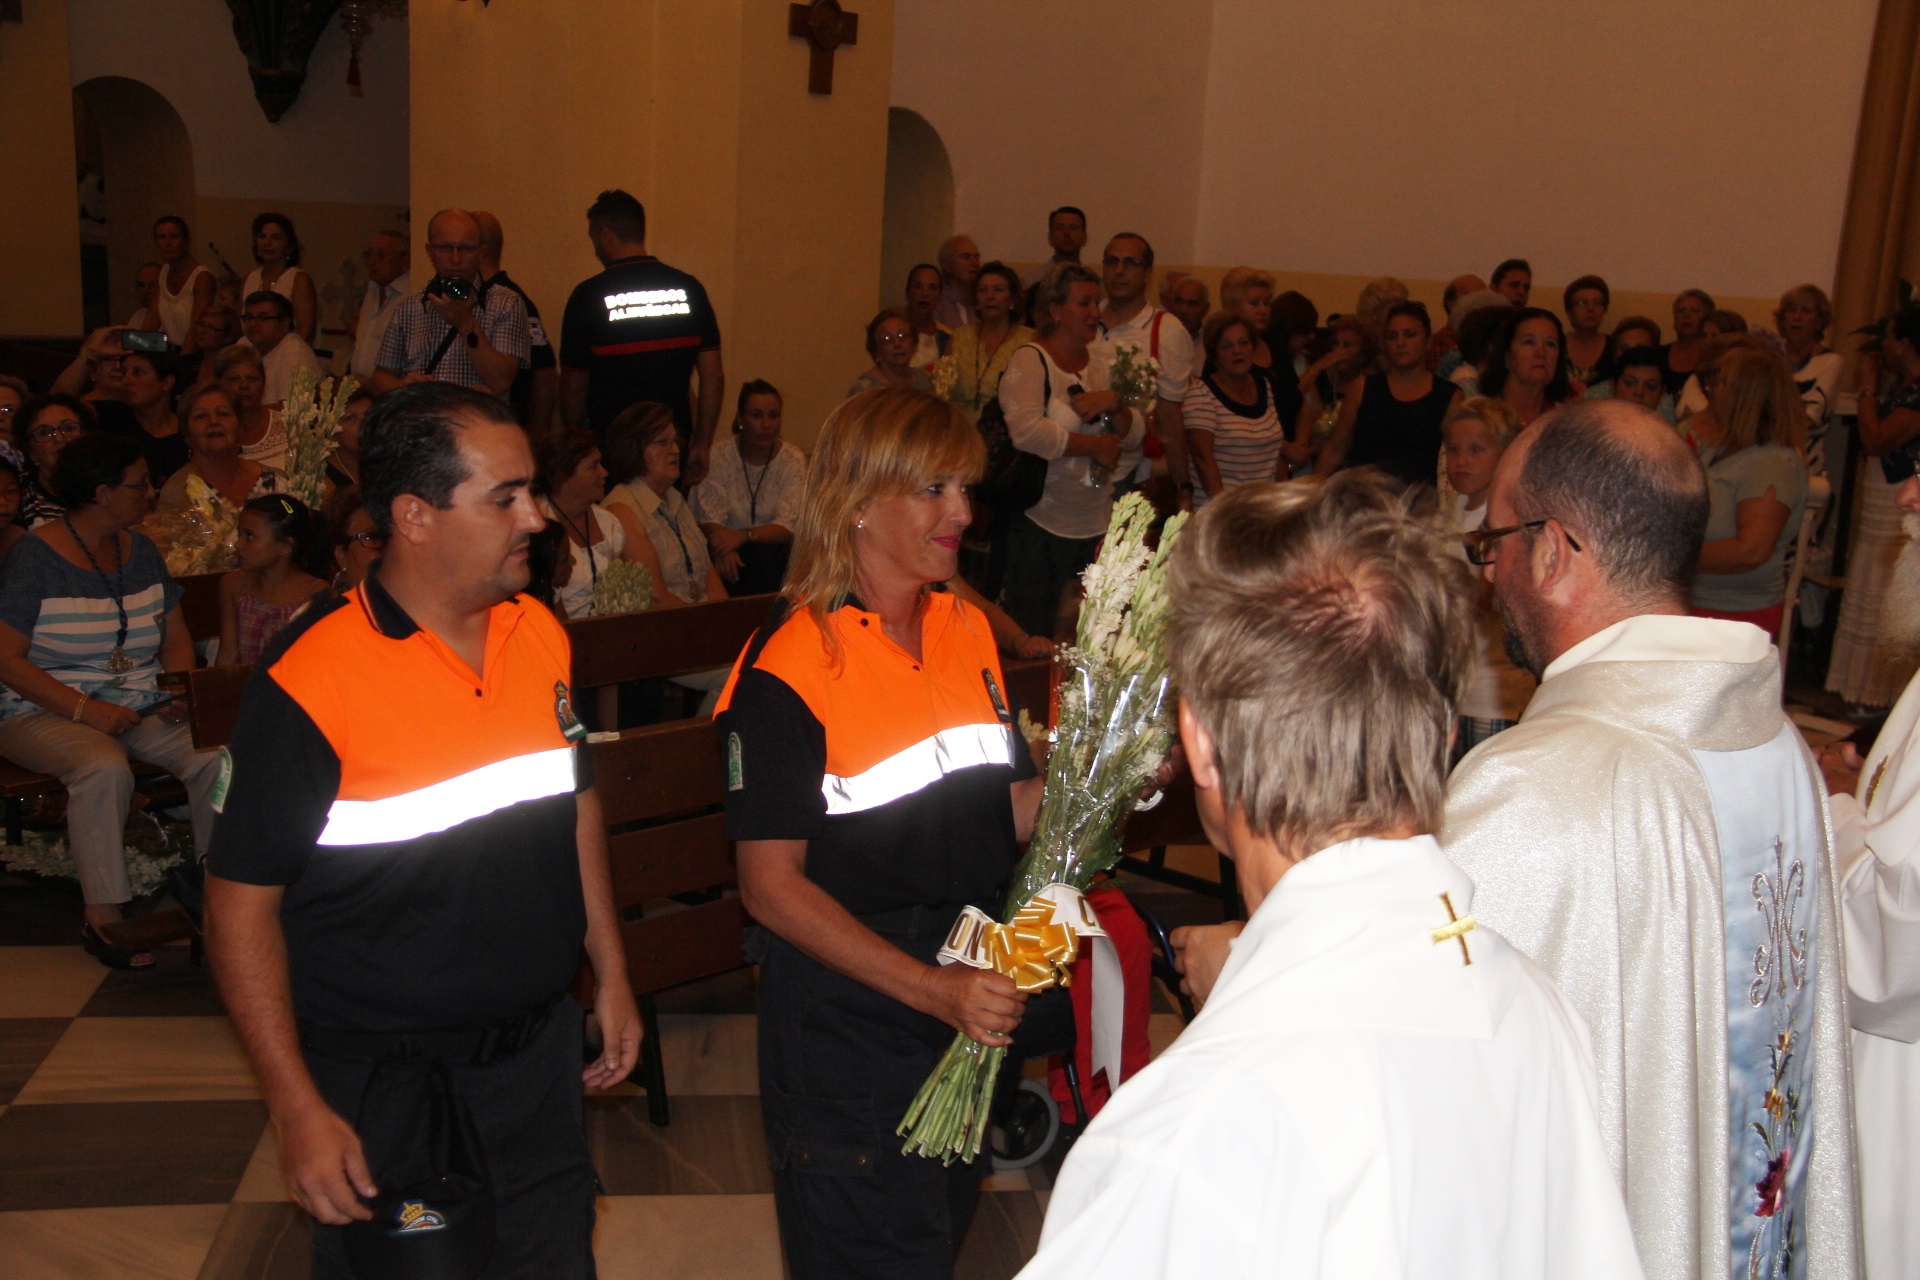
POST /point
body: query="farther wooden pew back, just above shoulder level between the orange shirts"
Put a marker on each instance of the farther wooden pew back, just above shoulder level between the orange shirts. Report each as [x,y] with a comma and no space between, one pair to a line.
[660,642]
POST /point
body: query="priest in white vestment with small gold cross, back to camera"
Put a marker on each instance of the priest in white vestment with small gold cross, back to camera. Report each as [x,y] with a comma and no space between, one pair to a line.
[1380,1085]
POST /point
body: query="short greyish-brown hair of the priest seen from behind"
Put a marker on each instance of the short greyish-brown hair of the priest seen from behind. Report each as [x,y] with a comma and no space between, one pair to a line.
[1322,636]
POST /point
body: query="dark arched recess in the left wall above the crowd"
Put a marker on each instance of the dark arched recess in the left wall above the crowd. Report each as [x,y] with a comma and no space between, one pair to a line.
[147,162]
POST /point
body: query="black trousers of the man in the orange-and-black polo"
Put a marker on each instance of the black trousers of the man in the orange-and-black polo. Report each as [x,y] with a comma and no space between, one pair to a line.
[527,1110]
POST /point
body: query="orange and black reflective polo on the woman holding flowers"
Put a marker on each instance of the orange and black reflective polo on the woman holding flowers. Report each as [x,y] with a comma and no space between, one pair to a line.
[896,772]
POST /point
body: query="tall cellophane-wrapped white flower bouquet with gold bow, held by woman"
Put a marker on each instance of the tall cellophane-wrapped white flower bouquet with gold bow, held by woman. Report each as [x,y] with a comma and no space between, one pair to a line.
[1115,730]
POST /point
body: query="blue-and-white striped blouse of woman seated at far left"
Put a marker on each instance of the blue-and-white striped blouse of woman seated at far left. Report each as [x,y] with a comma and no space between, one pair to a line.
[70,619]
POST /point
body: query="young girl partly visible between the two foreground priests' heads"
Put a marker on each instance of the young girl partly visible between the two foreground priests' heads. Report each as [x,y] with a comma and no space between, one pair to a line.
[1477,433]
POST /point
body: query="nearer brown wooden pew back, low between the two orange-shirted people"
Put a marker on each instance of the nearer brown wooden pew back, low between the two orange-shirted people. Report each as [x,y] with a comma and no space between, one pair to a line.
[673,868]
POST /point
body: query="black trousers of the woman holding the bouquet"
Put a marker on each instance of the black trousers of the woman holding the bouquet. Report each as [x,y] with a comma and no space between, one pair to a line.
[840,1066]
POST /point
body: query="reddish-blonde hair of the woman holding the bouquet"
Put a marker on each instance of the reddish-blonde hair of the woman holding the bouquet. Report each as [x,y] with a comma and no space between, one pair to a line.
[876,446]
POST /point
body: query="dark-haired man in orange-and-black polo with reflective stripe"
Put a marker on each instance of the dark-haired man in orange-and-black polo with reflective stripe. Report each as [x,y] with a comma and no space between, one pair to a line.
[408,863]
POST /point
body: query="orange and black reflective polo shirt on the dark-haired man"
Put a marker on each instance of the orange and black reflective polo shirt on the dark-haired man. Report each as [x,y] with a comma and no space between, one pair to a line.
[420,817]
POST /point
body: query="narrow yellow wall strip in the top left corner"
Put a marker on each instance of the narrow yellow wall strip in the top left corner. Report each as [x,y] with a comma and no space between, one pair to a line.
[39,214]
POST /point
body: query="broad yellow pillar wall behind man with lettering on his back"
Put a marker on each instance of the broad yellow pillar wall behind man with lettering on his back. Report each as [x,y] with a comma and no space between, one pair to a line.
[765,193]
